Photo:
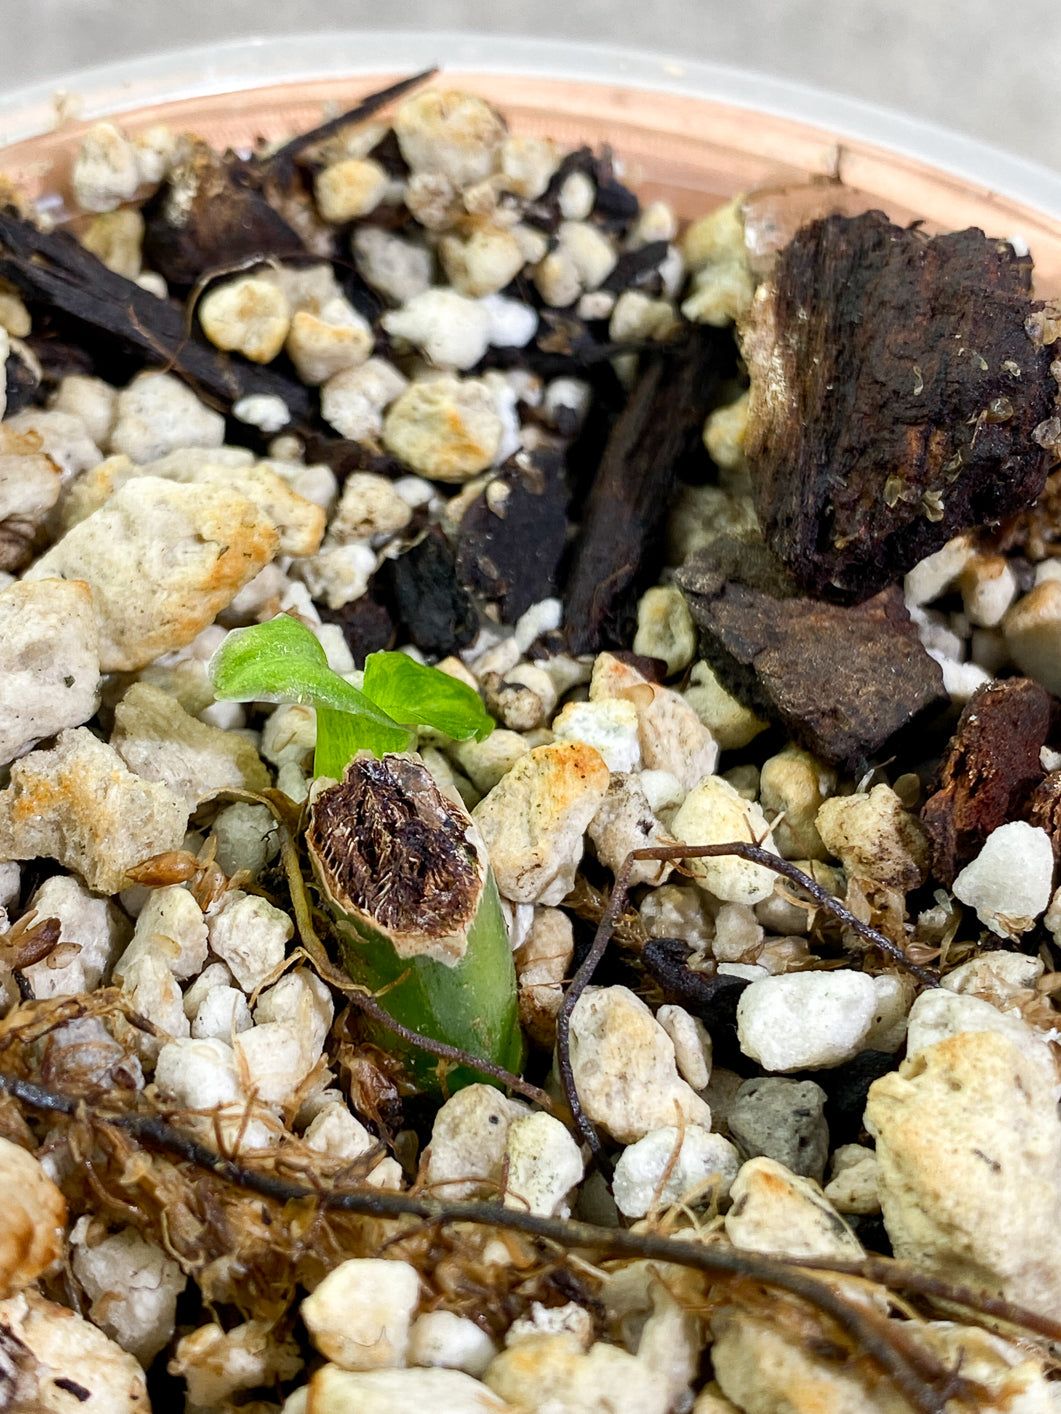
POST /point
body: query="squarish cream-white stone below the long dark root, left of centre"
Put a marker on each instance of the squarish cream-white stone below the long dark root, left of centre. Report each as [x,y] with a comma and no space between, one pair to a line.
[361,1313]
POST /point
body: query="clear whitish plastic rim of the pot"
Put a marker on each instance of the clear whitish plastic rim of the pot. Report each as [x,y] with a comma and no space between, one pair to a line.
[257,62]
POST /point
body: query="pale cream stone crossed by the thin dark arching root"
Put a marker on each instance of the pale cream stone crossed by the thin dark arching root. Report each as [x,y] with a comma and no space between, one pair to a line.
[717,814]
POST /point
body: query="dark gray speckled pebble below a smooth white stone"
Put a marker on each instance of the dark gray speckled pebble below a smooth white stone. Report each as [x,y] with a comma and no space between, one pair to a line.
[783,1121]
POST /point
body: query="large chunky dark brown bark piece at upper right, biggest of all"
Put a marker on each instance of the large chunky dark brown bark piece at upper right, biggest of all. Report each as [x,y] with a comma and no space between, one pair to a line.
[895,392]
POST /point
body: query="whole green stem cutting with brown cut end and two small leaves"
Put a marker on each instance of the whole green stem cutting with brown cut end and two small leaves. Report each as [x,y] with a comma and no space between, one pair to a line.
[402,867]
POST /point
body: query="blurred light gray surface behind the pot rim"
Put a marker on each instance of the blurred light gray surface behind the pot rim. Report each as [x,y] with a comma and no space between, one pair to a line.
[984,69]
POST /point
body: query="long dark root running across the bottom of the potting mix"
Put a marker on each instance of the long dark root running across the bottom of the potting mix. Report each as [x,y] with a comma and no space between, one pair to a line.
[913,1375]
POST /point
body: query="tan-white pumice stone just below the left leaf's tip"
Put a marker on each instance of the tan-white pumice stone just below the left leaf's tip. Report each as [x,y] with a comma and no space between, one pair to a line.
[159,740]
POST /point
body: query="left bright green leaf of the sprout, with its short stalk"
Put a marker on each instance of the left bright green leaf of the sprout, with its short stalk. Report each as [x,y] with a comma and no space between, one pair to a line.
[282,662]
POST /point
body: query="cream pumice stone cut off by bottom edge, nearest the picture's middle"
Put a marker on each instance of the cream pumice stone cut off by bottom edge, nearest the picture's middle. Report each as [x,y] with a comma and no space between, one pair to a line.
[554,1372]
